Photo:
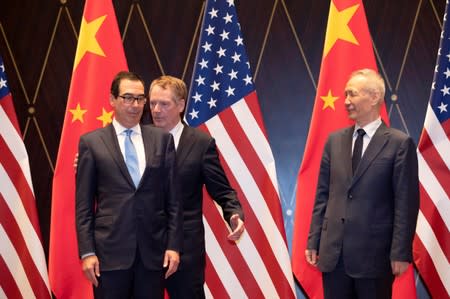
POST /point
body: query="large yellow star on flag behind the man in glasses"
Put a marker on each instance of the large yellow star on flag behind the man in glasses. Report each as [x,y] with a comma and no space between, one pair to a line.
[87,42]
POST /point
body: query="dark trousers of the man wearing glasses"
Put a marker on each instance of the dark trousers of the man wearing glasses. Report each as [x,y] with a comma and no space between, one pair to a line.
[136,282]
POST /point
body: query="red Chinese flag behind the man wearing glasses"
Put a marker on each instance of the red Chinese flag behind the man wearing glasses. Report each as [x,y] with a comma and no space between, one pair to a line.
[98,58]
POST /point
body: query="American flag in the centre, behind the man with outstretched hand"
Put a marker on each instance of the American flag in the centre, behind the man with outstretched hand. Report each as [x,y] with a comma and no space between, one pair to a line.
[223,101]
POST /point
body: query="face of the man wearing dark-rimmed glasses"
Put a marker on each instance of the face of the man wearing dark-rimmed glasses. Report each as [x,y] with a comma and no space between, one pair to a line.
[128,115]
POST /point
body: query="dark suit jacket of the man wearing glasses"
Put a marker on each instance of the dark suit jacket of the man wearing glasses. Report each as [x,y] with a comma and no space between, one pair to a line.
[113,217]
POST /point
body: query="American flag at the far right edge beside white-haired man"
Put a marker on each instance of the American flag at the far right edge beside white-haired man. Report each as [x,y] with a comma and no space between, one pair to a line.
[432,242]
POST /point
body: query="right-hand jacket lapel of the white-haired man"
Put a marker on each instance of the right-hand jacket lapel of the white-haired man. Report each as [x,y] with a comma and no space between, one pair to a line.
[375,146]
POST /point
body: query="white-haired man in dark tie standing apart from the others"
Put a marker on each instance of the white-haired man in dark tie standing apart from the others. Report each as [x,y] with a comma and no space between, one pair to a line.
[366,205]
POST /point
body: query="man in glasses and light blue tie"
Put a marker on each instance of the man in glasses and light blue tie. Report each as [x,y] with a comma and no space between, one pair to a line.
[128,215]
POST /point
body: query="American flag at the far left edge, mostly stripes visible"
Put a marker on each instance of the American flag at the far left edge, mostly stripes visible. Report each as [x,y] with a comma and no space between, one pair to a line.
[22,262]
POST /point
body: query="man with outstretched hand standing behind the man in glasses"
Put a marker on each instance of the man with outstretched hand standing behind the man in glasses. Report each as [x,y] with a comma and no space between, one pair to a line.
[198,165]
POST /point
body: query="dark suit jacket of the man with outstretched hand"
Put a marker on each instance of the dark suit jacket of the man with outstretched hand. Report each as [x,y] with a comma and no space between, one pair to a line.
[198,165]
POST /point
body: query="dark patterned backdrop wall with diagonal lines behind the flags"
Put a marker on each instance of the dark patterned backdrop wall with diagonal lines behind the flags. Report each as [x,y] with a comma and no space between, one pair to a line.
[284,40]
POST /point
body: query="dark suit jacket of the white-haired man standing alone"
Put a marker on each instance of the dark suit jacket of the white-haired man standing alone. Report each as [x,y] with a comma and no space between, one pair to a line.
[372,215]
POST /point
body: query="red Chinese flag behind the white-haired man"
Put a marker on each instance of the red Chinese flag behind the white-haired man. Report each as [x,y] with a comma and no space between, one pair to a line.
[347,47]
